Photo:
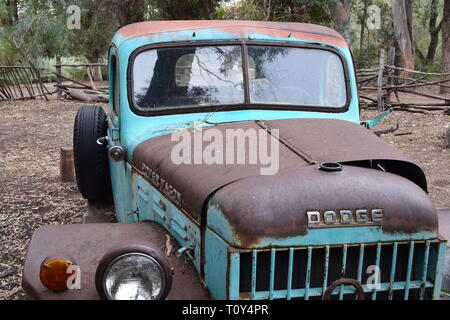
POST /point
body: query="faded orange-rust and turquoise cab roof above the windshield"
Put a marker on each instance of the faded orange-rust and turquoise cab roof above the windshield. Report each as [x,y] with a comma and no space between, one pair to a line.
[185,30]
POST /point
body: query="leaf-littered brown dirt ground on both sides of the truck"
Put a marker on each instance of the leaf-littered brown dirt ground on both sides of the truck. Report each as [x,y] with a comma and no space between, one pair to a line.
[32,133]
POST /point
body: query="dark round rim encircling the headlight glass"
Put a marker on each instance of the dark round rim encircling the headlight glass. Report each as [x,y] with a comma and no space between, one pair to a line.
[138,247]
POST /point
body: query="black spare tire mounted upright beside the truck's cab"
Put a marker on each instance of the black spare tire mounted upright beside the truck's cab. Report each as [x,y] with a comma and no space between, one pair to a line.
[90,159]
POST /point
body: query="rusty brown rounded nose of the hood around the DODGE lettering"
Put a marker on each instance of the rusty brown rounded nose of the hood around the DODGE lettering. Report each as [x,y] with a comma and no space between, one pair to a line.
[262,207]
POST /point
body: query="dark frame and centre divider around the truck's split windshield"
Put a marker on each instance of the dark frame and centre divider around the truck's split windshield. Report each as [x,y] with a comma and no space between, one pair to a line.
[247,104]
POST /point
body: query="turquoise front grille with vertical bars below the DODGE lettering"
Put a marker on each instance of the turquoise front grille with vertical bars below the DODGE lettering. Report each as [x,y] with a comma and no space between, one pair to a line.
[407,270]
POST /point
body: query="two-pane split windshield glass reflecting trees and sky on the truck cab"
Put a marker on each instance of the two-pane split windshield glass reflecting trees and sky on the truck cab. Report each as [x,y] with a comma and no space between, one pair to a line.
[214,76]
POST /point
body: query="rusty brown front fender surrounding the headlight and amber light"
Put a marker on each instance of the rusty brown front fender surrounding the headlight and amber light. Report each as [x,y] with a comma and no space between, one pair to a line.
[86,244]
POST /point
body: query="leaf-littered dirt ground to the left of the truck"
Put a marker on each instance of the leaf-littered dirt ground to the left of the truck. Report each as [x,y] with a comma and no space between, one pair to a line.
[31,135]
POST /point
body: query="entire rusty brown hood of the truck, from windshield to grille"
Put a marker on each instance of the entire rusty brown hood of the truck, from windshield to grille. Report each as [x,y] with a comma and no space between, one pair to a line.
[374,175]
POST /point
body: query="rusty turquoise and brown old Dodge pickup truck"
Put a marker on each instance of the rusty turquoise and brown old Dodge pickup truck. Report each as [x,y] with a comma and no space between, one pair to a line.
[239,169]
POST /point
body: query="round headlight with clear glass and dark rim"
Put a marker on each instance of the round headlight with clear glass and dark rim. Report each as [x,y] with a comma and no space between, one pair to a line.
[133,272]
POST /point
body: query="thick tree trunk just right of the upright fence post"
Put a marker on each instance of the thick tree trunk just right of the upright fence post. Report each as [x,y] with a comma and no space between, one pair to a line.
[402,21]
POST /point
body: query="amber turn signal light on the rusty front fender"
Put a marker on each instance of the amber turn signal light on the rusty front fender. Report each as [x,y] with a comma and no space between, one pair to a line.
[53,273]
